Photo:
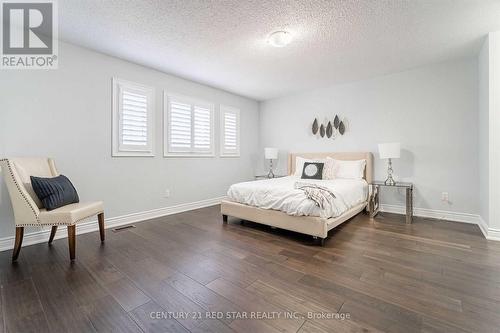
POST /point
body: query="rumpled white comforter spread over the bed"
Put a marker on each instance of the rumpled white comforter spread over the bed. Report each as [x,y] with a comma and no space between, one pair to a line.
[280,194]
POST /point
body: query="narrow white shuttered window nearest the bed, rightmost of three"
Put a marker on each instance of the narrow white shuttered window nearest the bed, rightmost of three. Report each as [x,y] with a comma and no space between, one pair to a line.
[230,131]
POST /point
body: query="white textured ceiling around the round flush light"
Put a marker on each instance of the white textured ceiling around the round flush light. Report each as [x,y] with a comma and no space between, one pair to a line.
[223,43]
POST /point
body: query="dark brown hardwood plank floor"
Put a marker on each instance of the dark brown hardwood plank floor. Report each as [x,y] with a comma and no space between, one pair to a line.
[384,275]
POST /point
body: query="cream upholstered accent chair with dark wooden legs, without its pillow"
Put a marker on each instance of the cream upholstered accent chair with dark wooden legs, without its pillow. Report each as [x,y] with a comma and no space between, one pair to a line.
[28,210]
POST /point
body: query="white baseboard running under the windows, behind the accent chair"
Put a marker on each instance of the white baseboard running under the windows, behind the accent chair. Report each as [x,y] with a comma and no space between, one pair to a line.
[7,243]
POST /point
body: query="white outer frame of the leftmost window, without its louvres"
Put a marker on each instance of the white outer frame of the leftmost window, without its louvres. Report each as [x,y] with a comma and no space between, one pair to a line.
[118,148]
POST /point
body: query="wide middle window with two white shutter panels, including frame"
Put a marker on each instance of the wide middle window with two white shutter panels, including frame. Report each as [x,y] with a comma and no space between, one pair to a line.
[188,127]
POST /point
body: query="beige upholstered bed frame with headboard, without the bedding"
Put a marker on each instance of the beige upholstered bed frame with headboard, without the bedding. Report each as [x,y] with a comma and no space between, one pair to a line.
[309,225]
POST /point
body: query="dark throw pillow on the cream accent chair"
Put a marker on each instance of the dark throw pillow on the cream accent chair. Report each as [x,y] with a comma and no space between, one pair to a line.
[54,192]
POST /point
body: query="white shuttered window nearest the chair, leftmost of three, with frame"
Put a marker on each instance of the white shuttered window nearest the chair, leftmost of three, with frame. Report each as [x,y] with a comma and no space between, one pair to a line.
[133,119]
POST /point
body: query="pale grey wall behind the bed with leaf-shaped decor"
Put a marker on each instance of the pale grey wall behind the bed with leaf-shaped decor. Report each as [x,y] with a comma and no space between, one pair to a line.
[431,110]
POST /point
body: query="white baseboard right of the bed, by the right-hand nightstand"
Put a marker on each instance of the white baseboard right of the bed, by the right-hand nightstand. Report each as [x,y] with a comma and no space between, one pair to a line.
[488,233]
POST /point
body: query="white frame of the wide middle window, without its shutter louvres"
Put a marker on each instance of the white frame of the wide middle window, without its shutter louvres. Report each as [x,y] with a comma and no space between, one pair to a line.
[192,101]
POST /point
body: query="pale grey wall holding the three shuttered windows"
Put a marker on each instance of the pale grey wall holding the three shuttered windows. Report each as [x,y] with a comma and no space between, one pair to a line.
[66,114]
